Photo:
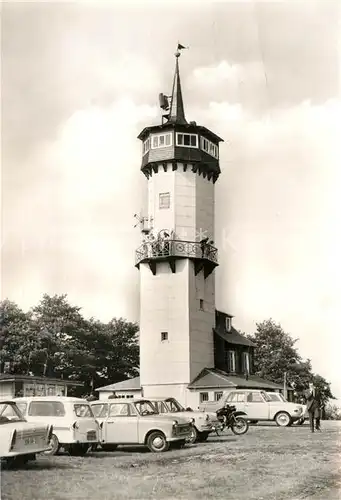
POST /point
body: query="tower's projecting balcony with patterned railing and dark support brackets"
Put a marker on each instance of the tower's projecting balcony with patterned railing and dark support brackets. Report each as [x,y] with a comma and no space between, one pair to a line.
[204,255]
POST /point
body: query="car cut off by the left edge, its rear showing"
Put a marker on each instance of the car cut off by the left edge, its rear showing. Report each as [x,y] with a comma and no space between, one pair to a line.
[19,439]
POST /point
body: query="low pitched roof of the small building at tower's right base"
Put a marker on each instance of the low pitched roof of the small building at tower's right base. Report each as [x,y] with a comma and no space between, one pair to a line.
[212,378]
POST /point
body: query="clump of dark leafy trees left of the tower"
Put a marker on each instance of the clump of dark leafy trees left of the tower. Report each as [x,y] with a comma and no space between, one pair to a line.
[54,339]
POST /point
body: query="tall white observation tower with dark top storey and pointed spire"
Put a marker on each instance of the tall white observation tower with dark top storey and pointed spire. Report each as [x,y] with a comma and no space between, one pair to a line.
[177,258]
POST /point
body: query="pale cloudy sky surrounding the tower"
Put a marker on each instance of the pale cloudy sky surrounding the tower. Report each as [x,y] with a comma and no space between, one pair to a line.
[81,80]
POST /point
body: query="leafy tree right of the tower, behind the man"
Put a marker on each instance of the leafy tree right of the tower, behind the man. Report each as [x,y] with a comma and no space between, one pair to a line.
[276,355]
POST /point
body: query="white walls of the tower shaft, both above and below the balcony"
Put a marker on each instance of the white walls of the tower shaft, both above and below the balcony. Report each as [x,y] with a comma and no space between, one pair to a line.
[170,302]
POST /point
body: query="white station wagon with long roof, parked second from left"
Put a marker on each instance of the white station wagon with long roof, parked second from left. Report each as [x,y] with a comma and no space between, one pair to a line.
[75,427]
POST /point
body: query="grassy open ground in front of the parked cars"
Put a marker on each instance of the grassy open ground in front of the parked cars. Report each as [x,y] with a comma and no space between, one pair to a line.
[267,463]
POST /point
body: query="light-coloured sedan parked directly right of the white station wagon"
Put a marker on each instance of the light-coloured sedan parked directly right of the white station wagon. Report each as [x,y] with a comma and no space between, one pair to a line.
[137,422]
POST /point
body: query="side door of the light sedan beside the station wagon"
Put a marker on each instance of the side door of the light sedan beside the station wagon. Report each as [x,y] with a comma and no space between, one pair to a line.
[121,425]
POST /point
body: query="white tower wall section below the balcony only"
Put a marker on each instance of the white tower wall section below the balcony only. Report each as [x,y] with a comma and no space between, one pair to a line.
[170,302]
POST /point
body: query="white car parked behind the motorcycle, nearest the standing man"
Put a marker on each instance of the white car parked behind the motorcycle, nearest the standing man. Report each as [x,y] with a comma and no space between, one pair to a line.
[258,406]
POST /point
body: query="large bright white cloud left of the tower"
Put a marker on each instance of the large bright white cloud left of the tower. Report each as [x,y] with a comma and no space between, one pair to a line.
[74,224]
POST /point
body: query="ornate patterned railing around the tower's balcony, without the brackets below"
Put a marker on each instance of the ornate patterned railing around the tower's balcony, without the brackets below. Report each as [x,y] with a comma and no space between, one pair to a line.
[175,248]
